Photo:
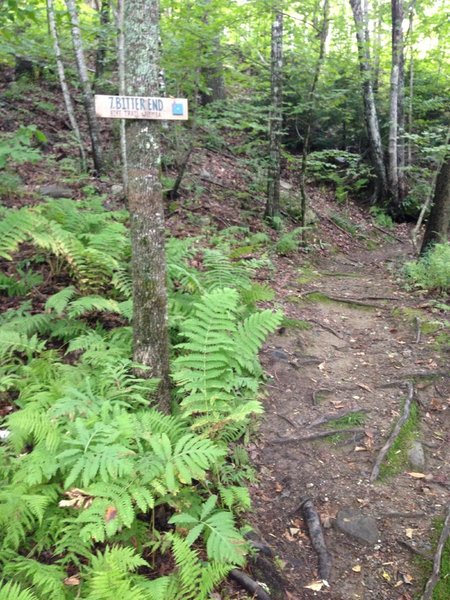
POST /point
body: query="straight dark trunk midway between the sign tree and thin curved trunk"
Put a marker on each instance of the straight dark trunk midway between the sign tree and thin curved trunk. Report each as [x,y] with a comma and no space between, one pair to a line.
[276,117]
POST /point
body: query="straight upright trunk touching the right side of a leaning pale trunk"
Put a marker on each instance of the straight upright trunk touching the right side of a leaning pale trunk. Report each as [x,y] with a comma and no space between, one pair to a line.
[395,109]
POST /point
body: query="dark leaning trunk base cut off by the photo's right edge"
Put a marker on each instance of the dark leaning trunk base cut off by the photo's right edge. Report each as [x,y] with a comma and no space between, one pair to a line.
[439,220]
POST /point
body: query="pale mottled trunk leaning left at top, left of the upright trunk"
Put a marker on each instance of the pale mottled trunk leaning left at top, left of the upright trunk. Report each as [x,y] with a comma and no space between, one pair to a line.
[370,111]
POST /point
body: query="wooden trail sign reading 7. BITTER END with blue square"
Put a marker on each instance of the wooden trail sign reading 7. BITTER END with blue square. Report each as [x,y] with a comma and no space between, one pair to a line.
[138,107]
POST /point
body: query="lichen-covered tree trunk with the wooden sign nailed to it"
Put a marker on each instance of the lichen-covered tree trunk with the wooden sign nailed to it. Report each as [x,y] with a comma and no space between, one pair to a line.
[145,201]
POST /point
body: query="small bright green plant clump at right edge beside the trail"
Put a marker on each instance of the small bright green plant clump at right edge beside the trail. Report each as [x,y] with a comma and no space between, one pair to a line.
[432,271]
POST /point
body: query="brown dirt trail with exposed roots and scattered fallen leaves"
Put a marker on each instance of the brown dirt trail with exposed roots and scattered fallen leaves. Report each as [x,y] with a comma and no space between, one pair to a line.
[355,357]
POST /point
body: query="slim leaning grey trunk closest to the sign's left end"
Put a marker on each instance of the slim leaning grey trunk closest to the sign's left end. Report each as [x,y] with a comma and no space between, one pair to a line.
[88,100]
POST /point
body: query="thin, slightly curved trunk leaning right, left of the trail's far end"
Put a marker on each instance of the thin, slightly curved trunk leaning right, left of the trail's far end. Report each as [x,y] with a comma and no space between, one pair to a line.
[310,115]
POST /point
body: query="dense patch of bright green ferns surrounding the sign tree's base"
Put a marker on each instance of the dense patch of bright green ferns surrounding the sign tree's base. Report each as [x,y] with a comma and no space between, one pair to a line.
[99,488]
